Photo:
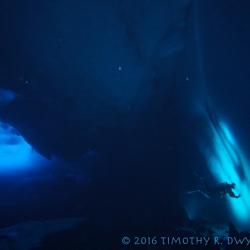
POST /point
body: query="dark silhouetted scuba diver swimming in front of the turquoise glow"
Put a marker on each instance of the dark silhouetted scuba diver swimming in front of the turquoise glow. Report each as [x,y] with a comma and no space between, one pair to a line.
[218,190]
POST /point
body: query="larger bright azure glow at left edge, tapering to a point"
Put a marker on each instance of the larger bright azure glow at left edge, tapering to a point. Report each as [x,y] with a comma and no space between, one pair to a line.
[15,152]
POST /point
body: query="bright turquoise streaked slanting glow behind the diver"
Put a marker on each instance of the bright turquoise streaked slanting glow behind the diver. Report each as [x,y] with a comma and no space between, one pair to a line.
[225,163]
